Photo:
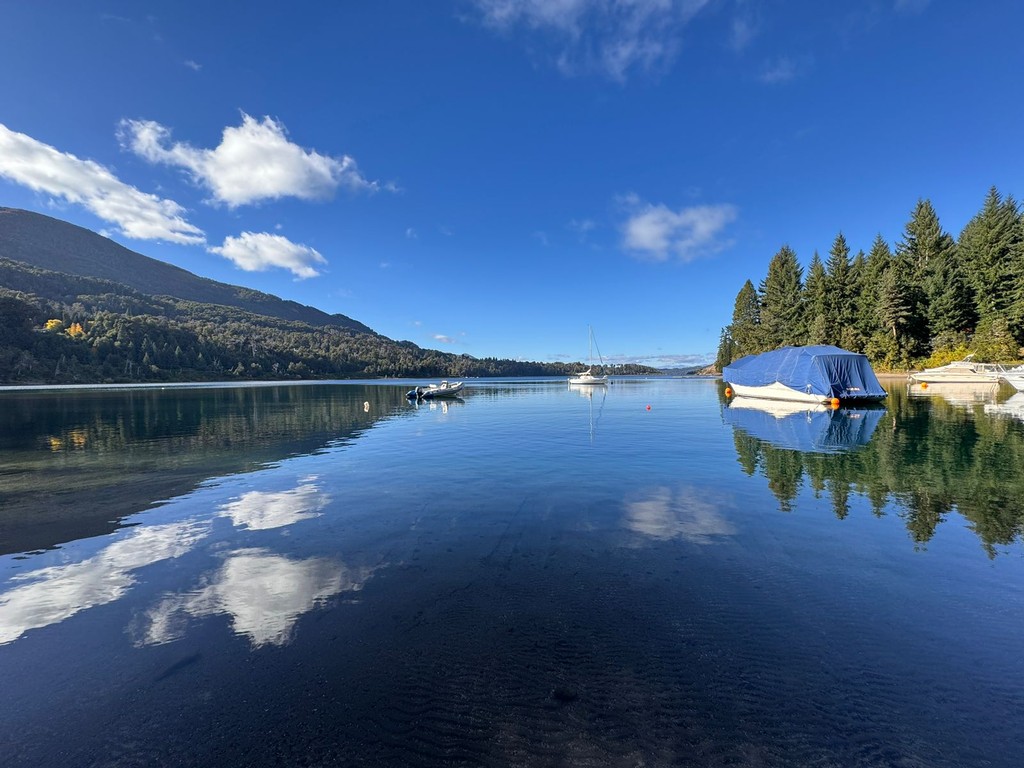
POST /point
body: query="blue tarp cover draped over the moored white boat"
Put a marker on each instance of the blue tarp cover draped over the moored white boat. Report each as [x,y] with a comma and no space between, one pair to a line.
[826,371]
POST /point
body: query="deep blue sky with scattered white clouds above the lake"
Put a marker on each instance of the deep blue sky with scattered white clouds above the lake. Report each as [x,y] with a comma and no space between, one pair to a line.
[492,178]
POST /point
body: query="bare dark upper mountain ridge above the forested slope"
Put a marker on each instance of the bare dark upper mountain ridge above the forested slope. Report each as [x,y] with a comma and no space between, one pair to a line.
[62,247]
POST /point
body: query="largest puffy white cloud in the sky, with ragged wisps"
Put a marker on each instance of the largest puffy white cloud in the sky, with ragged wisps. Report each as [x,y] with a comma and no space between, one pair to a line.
[254,161]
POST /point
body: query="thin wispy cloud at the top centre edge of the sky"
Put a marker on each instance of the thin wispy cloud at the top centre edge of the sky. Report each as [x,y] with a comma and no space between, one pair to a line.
[612,37]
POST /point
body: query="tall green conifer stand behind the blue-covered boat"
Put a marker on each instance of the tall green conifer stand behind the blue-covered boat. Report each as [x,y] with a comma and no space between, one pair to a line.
[926,302]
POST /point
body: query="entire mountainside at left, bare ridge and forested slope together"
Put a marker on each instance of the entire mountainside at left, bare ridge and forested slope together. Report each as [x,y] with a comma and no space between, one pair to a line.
[78,309]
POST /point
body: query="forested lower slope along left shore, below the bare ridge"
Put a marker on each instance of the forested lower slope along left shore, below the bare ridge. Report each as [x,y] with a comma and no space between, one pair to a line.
[64,329]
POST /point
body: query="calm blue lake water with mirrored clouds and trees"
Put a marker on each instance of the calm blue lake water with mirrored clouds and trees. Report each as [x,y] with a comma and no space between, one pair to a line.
[327,575]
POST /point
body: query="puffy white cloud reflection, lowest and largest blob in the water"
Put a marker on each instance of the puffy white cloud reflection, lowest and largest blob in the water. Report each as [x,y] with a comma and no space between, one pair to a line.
[264,593]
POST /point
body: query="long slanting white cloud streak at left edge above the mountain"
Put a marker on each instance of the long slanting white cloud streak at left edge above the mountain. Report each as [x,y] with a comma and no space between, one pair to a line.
[137,215]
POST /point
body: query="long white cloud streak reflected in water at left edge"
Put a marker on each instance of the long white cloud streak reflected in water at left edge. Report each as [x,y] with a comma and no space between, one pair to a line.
[53,594]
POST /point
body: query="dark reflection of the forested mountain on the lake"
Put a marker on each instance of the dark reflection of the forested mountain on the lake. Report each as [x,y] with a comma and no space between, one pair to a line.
[76,463]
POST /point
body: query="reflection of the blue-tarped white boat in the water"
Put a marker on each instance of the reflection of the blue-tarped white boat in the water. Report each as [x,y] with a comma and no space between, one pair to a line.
[802,426]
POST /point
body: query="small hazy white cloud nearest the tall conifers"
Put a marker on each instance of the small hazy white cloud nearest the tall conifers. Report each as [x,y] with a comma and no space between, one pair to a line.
[659,233]
